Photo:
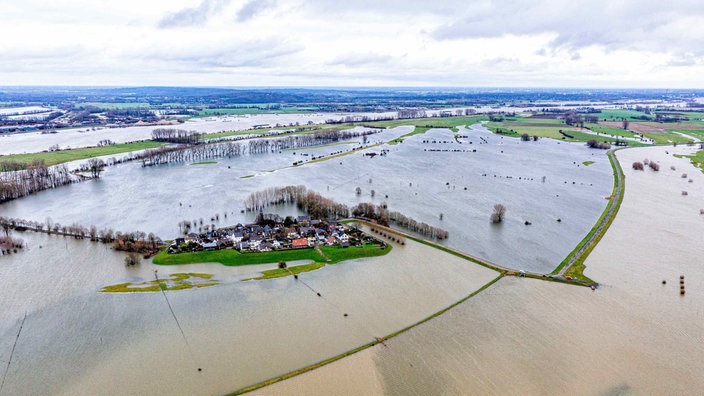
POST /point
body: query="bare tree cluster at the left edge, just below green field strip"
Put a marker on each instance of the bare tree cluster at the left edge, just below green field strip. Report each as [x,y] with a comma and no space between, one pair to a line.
[35,177]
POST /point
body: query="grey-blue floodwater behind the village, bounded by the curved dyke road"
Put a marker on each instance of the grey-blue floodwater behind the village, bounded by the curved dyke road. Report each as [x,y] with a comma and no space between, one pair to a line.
[459,183]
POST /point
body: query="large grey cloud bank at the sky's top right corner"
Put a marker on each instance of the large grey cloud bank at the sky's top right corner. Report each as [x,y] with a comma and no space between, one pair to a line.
[627,24]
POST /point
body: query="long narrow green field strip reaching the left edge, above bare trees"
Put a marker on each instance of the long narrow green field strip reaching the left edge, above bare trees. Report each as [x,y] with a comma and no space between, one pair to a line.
[59,157]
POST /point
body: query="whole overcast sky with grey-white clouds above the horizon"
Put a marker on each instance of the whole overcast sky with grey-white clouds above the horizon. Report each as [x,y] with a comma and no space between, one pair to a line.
[467,43]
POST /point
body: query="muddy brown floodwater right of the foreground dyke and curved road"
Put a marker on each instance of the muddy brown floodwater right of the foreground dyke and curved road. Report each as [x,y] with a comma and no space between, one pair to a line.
[633,335]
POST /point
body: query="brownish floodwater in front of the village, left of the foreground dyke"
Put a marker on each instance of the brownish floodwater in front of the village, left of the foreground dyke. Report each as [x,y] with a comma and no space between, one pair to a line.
[78,341]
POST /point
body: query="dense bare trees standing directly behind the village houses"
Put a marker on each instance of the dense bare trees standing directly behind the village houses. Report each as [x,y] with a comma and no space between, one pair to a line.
[310,202]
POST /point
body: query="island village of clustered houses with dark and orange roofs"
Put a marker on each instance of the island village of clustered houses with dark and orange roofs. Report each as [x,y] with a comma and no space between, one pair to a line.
[272,232]
